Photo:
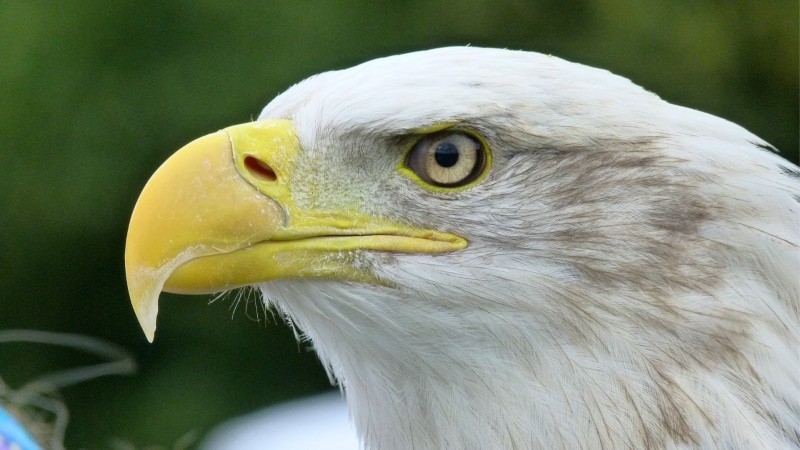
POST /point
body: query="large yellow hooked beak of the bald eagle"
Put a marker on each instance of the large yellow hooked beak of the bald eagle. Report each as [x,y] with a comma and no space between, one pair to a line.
[219,214]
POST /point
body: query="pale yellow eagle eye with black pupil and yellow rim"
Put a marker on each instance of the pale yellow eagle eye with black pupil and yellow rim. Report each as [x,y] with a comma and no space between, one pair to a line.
[447,159]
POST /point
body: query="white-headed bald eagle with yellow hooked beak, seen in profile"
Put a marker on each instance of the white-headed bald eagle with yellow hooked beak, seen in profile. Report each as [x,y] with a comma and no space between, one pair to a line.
[501,249]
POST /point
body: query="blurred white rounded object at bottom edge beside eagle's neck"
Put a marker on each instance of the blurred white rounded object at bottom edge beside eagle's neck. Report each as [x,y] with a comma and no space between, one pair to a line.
[320,422]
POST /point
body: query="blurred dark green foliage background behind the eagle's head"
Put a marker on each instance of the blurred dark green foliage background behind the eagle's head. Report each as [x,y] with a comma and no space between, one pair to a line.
[96,94]
